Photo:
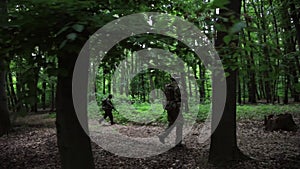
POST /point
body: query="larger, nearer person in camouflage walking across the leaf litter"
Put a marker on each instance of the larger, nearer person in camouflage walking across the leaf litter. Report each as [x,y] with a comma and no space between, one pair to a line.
[172,93]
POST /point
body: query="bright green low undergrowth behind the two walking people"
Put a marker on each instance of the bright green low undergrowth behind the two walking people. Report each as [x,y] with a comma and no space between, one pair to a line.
[145,113]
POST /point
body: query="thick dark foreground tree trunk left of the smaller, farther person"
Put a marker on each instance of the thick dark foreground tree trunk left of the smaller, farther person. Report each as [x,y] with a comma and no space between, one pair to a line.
[73,143]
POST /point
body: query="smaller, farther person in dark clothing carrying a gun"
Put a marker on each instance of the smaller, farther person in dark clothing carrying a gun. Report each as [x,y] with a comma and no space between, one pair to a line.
[107,106]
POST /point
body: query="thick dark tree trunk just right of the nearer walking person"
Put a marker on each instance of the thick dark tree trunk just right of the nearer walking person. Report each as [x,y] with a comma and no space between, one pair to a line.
[223,146]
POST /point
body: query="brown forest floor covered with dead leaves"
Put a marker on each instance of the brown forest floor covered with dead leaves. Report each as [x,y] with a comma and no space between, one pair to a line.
[33,145]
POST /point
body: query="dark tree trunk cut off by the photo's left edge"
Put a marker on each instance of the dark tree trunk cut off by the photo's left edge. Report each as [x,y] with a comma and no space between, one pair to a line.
[4,112]
